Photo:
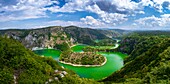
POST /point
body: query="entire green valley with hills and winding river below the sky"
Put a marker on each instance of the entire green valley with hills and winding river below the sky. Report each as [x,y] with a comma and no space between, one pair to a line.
[134,57]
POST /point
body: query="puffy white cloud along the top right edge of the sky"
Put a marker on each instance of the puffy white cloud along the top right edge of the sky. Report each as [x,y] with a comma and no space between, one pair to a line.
[133,6]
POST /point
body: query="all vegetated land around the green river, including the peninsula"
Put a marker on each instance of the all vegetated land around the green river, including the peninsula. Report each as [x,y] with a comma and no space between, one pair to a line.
[148,60]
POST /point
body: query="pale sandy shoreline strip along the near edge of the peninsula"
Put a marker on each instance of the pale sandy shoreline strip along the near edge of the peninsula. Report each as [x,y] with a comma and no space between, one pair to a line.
[85,65]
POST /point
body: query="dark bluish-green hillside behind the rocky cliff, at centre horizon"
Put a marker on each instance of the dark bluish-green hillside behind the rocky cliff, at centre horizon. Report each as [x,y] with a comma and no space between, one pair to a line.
[84,35]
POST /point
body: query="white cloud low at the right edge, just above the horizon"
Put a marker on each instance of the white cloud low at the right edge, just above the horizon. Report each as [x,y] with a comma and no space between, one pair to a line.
[154,22]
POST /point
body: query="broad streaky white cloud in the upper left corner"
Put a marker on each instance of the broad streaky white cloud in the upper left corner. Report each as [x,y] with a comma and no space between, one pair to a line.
[25,9]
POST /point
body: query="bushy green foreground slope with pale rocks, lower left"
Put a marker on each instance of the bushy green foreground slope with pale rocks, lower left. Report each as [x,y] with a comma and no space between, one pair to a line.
[20,65]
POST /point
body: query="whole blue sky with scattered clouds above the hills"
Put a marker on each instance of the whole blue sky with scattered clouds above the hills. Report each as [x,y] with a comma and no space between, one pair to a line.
[116,14]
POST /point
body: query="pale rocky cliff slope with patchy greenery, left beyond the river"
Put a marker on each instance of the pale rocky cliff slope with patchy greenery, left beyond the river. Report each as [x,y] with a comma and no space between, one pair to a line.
[46,37]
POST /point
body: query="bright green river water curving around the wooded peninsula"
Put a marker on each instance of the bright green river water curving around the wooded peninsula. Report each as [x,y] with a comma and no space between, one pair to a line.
[114,63]
